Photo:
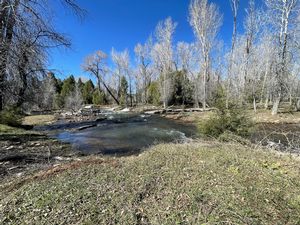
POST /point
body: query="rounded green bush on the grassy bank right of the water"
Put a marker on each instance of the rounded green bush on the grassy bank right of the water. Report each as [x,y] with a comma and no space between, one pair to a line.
[229,118]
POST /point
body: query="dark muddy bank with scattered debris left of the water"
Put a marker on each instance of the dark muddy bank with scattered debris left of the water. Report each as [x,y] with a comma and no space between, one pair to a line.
[24,154]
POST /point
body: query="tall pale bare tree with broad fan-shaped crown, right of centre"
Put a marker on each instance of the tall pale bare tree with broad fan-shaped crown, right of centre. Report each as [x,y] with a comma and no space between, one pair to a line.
[205,20]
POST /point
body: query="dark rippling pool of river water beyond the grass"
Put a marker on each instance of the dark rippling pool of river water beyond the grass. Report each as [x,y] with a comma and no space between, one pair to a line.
[121,134]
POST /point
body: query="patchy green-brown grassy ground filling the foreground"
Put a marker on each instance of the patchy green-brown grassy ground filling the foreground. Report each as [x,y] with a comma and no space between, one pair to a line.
[208,183]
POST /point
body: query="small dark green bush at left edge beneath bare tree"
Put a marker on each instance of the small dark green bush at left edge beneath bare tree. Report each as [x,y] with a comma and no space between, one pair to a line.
[11,116]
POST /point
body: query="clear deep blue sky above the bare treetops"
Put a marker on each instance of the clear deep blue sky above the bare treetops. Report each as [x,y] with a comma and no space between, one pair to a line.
[122,24]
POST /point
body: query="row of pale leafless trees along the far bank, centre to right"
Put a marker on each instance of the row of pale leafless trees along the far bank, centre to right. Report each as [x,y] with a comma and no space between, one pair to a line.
[259,68]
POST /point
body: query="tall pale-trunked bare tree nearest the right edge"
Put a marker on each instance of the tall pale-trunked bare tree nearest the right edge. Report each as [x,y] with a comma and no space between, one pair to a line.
[283,18]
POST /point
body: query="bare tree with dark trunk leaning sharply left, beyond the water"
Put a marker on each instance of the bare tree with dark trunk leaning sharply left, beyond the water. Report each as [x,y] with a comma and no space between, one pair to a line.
[95,64]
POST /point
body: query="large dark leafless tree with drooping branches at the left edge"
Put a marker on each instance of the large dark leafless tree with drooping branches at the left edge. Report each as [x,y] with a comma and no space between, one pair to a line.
[29,19]
